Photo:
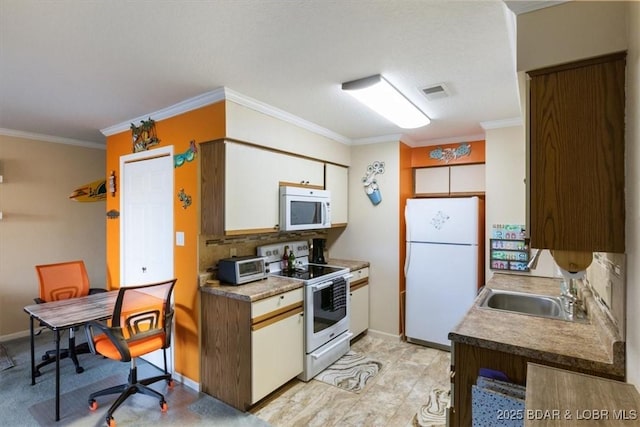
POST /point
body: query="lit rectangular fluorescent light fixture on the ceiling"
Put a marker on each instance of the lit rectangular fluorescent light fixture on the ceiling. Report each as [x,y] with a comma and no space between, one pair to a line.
[378,94]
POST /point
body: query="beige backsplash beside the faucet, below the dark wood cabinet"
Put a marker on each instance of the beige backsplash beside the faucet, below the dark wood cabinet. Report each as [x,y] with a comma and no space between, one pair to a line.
[607,276]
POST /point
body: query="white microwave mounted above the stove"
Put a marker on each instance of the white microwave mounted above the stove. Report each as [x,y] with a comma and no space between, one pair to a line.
[304,208]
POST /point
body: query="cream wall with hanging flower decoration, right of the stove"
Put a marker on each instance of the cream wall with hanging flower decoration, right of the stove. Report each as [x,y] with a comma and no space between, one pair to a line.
[373,233]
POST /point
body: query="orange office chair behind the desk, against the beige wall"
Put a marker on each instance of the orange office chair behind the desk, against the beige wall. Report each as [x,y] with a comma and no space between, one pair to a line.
[62,281]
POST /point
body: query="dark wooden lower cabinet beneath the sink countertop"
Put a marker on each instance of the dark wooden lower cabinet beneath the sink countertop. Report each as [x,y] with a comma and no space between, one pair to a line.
[466,363]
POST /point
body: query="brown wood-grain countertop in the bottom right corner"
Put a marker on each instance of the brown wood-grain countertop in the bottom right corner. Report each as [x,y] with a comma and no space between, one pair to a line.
[556,397]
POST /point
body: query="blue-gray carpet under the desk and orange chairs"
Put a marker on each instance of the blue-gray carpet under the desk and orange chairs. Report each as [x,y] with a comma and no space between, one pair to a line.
[22,404]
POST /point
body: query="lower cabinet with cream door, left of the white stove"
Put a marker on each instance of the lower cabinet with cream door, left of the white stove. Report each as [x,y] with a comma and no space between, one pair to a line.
[248,350]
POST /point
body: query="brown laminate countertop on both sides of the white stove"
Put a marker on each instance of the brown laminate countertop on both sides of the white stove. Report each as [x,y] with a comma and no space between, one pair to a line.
[270,286]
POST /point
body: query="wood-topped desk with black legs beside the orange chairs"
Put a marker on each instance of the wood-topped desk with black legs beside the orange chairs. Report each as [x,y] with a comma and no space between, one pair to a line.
[66,314]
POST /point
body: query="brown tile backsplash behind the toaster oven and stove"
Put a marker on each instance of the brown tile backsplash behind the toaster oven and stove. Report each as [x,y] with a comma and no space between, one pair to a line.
[213,248]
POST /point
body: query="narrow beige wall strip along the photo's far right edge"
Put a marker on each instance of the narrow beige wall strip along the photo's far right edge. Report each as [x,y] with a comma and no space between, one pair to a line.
[633,193]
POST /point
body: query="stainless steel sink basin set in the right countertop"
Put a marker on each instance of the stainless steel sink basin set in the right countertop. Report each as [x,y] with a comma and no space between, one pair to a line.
[523,303]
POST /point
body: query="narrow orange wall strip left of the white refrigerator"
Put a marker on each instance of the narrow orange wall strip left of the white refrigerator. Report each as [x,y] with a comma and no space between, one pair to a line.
[406,191]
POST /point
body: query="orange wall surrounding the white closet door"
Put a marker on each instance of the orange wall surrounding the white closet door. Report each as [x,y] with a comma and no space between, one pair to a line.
[204,124]
